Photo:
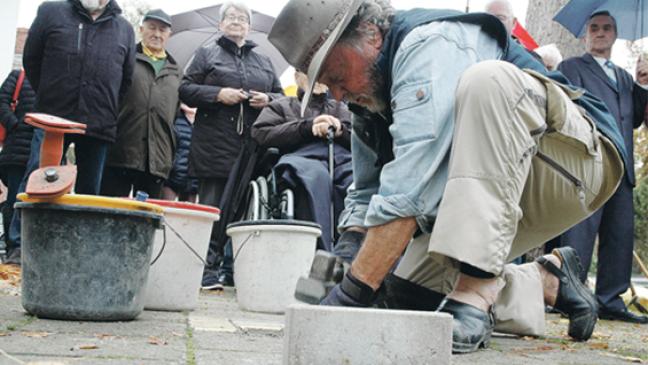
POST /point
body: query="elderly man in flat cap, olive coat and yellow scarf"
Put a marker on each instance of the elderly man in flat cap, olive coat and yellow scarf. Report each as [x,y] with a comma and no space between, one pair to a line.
[142,155]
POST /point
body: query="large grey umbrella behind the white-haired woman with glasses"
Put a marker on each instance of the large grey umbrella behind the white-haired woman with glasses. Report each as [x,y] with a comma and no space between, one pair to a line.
[193,29]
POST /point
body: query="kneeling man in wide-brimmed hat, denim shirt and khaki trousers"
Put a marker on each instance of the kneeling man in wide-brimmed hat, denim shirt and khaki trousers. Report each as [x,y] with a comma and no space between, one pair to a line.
[461,160]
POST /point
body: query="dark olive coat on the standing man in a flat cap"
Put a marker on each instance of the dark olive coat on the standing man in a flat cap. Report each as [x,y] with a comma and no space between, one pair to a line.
[145,136]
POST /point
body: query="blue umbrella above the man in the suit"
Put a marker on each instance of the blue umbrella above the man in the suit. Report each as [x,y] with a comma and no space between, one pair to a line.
[631,22]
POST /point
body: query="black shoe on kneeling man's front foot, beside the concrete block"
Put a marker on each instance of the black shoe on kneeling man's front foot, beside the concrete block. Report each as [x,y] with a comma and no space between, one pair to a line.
[471,327]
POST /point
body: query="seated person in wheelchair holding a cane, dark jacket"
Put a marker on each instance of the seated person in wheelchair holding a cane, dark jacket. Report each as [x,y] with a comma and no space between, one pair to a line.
[304,139]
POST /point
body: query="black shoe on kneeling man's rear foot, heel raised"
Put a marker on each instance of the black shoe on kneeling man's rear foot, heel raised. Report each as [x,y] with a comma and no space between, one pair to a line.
[574,299]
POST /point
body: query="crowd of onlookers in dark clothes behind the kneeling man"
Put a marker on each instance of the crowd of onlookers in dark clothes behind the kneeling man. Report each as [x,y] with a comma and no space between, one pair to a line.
[176,134]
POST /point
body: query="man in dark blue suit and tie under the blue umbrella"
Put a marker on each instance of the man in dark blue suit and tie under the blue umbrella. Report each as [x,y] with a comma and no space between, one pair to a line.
[614,222]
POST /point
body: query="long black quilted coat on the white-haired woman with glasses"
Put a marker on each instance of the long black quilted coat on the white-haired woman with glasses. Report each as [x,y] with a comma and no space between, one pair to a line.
[215,142]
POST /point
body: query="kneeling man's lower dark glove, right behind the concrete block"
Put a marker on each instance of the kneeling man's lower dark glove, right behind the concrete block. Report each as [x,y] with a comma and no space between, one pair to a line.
[351,292]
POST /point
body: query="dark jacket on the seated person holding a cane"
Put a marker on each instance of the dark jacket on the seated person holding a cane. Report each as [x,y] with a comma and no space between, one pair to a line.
[280,123]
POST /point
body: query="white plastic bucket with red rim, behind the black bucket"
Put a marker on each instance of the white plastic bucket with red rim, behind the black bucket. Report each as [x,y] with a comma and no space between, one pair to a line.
[175,277]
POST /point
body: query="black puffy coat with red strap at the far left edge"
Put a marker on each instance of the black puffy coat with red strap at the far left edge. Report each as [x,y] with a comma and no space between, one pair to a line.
[15,151]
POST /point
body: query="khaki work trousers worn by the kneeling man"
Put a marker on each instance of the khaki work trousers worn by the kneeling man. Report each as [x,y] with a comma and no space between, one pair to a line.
[526,164]
